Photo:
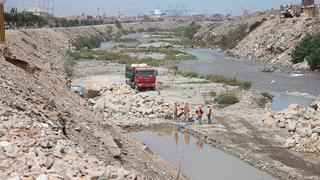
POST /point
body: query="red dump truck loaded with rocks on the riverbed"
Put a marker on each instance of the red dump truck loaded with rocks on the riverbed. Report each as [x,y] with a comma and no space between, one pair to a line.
[141,76]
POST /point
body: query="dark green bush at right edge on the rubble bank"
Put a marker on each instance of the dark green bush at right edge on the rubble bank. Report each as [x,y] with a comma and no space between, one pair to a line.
[308,49]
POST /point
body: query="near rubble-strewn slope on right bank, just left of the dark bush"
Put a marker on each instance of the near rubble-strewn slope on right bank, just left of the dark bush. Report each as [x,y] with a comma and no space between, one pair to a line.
[275,39]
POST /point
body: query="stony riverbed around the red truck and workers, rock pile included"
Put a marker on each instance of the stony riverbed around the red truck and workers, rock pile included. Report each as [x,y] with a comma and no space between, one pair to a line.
[237,129]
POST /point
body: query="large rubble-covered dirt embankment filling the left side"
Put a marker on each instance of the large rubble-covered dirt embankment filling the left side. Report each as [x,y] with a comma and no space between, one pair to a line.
[48,132]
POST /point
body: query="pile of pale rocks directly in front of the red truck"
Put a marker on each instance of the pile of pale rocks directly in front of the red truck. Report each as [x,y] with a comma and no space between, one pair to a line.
[121,99]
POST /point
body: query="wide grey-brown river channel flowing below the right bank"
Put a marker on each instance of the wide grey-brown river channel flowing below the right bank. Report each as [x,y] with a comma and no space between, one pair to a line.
[213,62]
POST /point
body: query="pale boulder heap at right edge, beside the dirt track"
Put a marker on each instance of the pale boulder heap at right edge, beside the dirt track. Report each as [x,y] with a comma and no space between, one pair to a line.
[302,124]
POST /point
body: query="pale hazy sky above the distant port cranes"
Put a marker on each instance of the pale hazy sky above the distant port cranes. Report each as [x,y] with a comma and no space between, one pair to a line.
[134,7]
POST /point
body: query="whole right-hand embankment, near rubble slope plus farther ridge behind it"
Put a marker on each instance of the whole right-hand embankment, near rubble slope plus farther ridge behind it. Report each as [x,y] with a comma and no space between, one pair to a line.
[272,41]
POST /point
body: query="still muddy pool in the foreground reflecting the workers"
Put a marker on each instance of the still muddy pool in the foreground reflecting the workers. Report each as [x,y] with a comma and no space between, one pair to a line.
[198,161]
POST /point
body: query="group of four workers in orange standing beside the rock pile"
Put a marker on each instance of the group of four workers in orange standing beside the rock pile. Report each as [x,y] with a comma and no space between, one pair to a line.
[185,110]
